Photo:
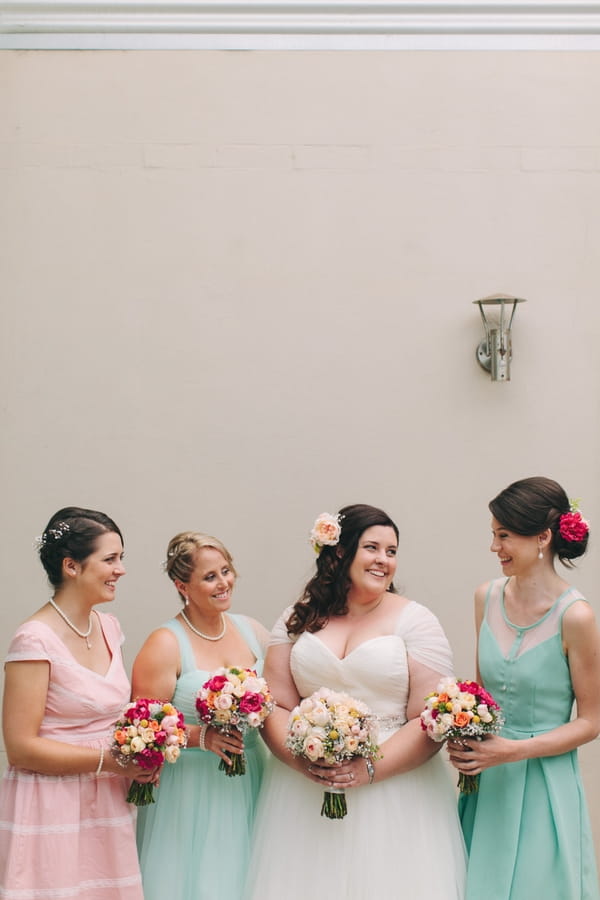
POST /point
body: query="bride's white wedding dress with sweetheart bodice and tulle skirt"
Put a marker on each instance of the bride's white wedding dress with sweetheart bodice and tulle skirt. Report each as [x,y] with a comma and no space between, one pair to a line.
[401,837]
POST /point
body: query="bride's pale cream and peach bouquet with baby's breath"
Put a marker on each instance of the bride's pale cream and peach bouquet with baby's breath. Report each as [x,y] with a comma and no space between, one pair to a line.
[332,727]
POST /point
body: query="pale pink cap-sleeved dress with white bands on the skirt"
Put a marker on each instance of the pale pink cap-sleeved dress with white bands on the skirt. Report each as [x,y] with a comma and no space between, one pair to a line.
[70,836]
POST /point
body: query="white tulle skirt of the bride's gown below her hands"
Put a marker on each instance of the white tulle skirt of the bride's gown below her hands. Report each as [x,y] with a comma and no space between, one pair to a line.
[400,838]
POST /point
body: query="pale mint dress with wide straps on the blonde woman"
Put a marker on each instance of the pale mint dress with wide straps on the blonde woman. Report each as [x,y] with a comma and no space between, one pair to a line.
[193,843]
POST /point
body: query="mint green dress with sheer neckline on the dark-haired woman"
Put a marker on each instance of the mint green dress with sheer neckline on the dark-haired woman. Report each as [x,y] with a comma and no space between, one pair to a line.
[527,828]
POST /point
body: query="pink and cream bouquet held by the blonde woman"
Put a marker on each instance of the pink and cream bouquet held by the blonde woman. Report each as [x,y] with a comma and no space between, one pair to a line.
[234,698]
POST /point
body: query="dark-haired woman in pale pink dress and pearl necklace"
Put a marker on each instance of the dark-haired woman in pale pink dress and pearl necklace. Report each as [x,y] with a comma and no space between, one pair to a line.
[66,830]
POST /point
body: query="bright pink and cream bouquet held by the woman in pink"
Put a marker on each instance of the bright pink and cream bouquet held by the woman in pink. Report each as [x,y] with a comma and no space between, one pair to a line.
[150,733]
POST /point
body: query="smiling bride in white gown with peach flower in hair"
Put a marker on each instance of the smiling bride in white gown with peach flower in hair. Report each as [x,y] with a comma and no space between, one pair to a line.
[352,632]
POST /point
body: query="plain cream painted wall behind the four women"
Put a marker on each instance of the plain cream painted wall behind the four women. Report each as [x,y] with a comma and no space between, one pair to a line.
[237,292]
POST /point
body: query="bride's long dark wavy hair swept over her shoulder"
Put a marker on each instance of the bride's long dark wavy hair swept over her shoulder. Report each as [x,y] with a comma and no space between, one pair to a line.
[326,593]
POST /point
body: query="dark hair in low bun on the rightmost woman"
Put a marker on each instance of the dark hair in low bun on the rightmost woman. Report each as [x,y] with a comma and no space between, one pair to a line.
[532,505]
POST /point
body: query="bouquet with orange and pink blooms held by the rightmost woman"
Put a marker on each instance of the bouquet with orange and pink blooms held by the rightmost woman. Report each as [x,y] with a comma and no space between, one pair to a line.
[460,709]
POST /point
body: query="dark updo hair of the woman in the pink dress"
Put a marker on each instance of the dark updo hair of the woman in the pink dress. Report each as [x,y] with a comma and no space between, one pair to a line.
[71,533]
